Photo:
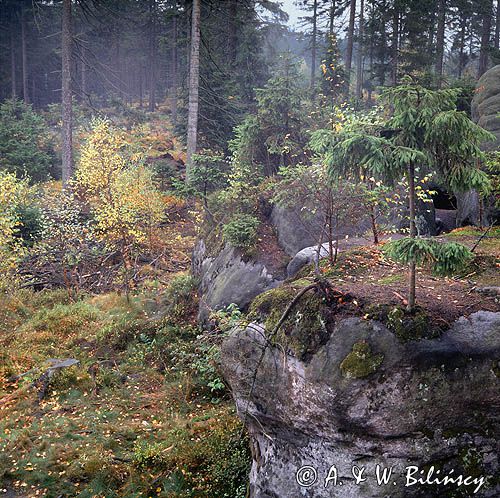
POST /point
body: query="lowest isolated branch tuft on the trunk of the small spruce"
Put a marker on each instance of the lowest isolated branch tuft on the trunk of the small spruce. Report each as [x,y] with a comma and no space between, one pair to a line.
[444,258]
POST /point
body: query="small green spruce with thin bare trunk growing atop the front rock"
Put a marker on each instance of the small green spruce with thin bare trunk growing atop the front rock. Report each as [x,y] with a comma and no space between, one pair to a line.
[425,132]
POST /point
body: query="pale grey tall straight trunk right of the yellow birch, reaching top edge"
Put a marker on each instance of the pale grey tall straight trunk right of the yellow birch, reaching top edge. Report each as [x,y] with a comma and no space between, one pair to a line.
[194,82]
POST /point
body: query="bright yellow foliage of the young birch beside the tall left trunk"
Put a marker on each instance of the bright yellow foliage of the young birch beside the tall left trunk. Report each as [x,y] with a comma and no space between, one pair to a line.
[118,187]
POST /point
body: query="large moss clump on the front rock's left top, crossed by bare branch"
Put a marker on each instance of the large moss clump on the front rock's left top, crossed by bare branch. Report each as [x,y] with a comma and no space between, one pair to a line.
[306,328]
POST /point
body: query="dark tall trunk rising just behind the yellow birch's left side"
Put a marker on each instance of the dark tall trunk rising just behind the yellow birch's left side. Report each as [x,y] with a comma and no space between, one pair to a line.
[67,111]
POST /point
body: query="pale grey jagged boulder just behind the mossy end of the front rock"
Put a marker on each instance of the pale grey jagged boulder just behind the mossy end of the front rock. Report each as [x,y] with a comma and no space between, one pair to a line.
[228,278]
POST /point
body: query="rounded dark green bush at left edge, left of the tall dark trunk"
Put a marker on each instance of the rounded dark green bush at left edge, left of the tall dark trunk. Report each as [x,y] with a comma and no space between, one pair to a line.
[25,145]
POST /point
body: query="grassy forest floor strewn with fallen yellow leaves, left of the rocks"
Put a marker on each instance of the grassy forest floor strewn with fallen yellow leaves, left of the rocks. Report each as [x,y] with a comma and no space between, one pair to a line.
[144,413]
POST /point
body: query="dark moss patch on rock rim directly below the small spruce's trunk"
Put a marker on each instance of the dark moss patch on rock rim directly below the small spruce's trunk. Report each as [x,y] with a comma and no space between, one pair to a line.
[407,326]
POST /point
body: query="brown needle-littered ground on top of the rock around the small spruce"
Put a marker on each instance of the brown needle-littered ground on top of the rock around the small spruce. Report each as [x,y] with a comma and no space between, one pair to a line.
[371,279]
